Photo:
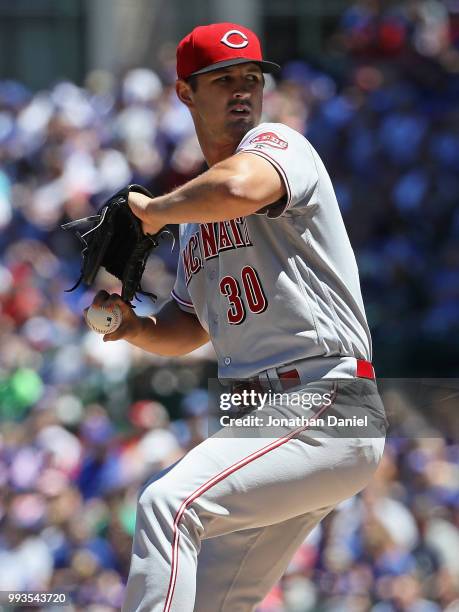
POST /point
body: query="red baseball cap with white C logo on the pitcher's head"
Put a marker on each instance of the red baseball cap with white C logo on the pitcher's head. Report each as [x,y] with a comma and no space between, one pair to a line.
[219,45]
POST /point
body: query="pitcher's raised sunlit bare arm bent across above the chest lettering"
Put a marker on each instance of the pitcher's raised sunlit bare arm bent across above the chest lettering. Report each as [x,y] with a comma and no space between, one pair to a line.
[237,186]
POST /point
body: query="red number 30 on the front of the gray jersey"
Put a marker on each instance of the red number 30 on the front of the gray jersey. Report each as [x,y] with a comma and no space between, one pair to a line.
[254,295]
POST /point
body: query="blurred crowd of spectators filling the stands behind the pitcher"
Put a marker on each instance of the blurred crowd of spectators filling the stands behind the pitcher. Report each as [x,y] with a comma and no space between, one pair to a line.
[82,423]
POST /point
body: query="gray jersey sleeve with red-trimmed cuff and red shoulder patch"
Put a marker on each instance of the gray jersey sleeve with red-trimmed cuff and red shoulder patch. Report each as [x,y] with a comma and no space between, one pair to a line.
[291,155]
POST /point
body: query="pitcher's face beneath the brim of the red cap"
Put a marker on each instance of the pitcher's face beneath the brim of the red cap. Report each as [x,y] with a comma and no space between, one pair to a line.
[227,103]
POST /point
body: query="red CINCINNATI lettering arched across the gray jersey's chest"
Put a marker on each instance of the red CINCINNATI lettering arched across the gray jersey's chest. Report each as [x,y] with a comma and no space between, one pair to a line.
[210,240]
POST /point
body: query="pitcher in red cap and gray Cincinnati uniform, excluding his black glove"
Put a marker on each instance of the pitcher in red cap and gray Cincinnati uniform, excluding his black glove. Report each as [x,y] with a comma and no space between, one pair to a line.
[267,274]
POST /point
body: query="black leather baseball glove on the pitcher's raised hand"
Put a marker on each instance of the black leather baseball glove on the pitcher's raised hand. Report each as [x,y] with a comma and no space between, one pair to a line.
[116,241]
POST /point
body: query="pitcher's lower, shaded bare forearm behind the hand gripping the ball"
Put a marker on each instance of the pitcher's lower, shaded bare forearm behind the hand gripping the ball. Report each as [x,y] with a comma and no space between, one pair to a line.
[170,333]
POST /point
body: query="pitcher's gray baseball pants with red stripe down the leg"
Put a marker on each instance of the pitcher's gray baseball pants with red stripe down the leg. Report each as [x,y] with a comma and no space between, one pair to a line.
[215,531]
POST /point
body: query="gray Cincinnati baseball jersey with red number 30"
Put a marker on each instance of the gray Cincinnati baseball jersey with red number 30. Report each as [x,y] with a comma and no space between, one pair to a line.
[282,284]
